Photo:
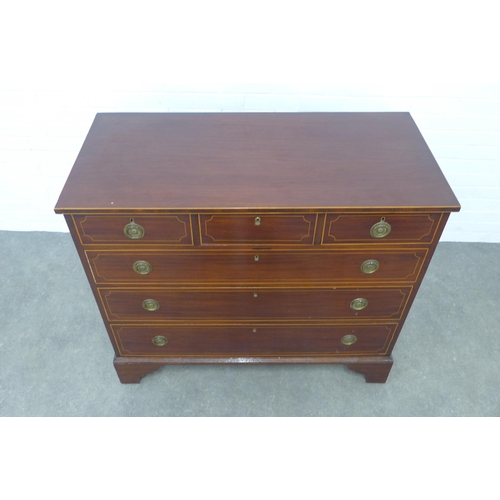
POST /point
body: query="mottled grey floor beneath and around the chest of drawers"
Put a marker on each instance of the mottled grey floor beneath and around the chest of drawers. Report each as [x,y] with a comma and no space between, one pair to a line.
[56,360]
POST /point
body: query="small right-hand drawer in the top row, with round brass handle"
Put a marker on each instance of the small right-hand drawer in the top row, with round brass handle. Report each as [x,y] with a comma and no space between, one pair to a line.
[416,228]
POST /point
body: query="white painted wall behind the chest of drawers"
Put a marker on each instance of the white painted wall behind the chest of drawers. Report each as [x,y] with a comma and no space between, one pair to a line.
[60,66]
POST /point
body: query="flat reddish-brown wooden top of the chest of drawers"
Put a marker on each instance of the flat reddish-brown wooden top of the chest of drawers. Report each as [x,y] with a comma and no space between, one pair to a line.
[220,161]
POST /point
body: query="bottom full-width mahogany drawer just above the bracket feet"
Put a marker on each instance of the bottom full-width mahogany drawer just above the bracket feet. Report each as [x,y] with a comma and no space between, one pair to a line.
[252,340]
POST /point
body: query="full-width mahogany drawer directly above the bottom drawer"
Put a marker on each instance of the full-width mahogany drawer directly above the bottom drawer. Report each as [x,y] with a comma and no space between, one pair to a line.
[253,304]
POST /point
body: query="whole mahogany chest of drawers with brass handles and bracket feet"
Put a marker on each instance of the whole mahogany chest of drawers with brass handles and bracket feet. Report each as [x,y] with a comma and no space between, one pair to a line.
[255,238]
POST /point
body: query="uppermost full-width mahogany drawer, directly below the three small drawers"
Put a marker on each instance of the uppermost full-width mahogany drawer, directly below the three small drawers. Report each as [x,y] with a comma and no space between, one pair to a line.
[194,267]
